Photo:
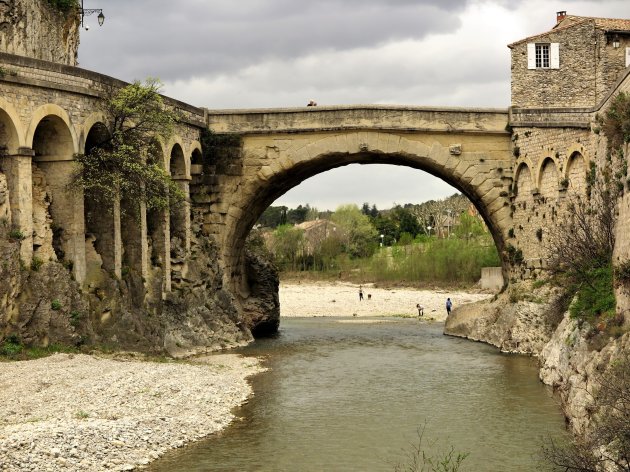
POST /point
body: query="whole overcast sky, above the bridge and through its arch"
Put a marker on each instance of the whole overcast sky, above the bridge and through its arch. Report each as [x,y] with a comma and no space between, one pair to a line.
[281,53]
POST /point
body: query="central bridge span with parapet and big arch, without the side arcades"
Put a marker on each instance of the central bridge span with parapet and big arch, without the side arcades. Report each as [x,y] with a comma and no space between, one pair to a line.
[468,148]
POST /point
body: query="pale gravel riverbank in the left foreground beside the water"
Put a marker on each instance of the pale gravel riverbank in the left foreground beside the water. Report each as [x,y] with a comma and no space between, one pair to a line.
[86,413]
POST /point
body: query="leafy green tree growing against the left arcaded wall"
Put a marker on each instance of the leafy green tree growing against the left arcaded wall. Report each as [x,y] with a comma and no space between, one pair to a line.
[128,164]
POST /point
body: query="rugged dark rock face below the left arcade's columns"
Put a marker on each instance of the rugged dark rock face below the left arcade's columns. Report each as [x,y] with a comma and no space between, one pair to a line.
[43,305]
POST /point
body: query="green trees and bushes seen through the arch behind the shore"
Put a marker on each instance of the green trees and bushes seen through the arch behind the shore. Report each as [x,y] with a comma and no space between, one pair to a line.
[441,241]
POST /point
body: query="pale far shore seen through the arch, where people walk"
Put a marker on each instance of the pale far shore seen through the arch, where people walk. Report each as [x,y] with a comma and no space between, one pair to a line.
[342,299]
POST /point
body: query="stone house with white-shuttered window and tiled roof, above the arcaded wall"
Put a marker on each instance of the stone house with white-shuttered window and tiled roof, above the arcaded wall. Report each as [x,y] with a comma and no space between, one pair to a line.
[575,64]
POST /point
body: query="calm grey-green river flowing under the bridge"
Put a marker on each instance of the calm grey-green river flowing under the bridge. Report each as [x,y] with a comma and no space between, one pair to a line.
[347,395]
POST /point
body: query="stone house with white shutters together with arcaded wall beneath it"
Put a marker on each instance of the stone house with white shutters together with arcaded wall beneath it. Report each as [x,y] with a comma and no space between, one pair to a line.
[561,81]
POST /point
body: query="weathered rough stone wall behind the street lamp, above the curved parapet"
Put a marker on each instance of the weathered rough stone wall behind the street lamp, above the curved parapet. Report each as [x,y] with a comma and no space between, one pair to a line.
[33,28]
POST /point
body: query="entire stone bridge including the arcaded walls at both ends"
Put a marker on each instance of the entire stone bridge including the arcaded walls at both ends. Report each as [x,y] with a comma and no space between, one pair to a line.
[49,112]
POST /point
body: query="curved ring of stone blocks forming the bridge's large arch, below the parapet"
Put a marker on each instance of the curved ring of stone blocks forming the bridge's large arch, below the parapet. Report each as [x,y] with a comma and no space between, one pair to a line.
[469,173]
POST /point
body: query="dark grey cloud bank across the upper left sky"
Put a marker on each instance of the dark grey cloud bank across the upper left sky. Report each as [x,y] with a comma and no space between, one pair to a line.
[174,40]
